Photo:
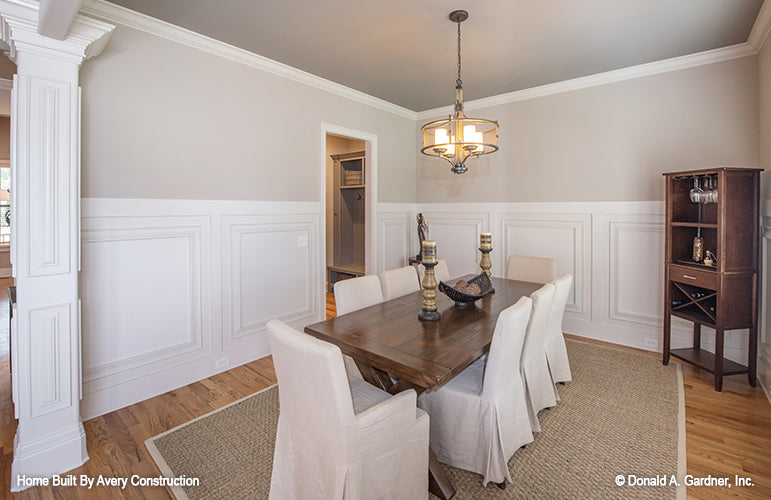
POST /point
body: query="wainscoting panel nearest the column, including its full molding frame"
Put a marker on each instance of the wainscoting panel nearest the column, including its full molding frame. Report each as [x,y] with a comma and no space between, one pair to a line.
[145,295]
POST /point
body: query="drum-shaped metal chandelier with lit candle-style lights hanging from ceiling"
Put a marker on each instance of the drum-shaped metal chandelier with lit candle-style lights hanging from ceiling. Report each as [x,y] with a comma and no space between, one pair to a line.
[459,138]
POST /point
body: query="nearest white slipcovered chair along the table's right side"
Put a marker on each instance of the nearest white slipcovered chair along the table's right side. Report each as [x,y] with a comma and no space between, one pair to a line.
[480,417]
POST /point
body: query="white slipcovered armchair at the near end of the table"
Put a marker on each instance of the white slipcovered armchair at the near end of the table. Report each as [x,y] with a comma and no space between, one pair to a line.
[339,438]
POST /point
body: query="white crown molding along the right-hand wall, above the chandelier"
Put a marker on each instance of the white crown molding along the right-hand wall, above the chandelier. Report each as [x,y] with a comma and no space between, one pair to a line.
[619,75]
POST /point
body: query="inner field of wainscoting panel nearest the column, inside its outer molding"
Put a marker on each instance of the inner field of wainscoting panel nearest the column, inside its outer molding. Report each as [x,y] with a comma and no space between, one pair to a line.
[136,266]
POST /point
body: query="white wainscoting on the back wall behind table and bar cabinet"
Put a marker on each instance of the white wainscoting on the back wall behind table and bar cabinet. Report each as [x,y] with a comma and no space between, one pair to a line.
[614,250]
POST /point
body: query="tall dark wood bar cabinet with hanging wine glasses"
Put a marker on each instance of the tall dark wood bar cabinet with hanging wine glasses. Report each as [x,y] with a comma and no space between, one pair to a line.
[711,263]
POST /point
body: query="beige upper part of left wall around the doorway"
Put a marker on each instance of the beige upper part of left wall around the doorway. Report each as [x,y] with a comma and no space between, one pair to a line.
[163,120]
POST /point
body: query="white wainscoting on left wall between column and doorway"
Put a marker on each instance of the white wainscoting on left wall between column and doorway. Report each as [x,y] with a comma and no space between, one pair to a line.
[174,291]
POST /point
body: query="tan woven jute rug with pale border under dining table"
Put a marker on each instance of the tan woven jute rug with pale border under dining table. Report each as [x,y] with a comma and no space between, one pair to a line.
[622,415]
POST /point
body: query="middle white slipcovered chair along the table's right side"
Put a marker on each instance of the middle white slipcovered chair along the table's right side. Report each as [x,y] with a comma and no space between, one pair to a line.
[539,386]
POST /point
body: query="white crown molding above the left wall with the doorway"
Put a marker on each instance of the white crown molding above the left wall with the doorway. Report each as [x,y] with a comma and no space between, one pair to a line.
[116,14]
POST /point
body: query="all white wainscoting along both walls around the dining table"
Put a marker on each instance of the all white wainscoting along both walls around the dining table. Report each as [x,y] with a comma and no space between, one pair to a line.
[175,291]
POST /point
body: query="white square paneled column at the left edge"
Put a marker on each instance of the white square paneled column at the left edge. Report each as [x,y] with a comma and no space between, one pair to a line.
[45,162]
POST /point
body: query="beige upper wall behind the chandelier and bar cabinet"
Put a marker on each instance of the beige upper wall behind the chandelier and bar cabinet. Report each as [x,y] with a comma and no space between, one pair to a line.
[610,142]
